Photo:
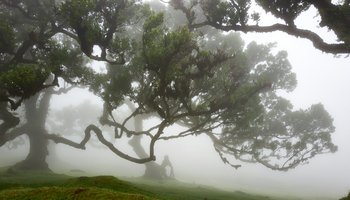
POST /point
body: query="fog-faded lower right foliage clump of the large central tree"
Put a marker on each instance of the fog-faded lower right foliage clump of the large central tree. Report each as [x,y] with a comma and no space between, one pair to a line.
[282,134]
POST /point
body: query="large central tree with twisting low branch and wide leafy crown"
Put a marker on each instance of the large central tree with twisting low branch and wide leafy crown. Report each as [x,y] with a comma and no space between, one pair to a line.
[180,83]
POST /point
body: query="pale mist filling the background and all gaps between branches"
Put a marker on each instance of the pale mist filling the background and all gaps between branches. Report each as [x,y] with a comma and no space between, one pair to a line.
[321,78]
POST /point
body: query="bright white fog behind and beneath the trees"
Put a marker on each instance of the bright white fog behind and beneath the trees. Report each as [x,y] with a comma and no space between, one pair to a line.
[322,78]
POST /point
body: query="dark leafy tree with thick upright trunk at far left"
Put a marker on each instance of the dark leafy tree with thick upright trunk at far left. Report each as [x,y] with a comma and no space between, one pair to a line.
[45,44]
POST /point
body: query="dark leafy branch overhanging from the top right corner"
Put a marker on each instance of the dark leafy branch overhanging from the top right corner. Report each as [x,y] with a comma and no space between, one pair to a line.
[238,15]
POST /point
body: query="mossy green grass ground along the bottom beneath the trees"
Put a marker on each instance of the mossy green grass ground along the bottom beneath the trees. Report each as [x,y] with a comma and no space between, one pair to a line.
[39,185]
